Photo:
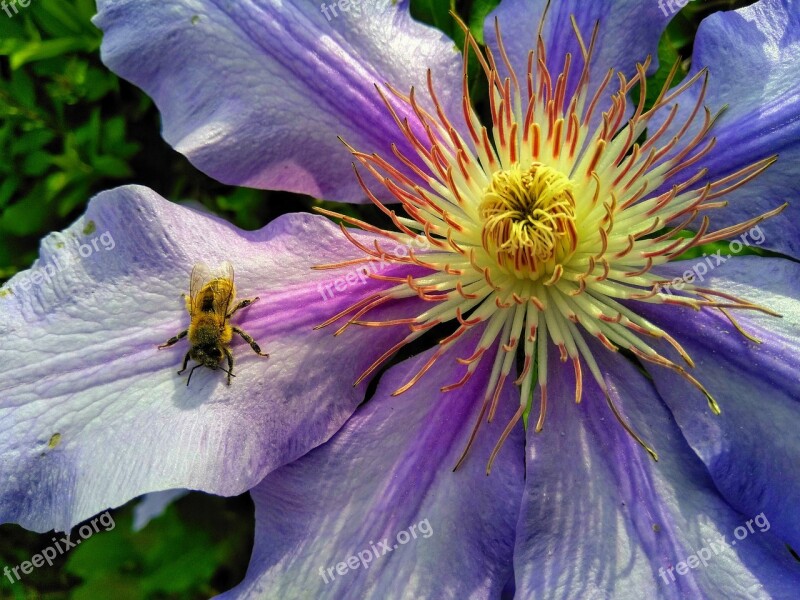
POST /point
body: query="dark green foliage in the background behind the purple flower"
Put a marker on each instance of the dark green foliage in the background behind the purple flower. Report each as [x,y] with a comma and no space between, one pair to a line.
[69,128]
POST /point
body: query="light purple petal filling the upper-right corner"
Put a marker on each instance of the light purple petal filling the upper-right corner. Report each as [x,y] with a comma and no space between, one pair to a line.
[753,56]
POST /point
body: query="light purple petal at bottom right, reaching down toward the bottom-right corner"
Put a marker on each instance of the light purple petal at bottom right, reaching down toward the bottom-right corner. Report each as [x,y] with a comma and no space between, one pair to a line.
[600,518]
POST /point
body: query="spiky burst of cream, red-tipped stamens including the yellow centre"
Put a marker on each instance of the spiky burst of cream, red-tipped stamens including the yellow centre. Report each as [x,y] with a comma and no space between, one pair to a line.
[540,231]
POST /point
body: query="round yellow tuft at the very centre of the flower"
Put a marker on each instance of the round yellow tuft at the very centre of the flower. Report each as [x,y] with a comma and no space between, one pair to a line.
[528,219]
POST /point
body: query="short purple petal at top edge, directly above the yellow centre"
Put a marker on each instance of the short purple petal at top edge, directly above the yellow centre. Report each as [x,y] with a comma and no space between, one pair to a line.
[629,31]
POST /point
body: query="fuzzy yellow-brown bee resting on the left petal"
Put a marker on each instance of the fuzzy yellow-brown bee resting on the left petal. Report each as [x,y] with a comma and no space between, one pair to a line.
[211,303]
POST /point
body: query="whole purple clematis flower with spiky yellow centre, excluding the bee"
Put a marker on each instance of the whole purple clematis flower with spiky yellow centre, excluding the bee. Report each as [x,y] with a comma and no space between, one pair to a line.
[532,263]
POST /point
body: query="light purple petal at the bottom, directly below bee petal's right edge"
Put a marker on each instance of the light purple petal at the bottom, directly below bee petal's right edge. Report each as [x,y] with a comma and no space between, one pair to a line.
[390,469]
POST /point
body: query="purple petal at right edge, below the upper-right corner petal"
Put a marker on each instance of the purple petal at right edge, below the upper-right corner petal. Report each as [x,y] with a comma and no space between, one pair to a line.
[752,449]
